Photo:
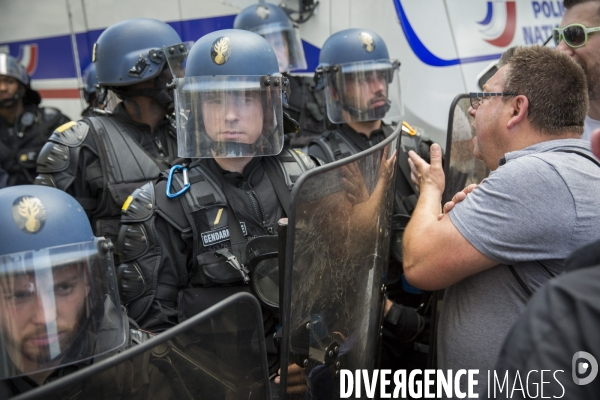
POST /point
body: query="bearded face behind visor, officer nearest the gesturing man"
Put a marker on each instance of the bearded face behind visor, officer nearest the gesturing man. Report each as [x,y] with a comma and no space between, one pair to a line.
[366,90]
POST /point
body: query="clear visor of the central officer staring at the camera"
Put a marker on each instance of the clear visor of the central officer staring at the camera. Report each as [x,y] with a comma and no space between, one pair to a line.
[229,116]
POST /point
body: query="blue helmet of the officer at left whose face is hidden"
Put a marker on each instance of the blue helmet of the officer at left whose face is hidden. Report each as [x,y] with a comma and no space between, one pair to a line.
[131,51]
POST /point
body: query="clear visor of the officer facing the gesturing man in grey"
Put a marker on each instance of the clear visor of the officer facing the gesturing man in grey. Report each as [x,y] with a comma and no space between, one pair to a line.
[365,91]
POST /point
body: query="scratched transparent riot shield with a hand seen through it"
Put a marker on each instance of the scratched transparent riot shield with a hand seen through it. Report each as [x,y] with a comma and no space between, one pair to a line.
[337,254]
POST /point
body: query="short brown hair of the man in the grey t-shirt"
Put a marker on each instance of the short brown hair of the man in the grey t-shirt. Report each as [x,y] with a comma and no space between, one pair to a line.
[554,84]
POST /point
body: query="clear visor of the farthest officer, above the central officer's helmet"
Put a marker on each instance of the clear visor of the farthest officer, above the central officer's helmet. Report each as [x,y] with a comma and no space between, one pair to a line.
[287,44]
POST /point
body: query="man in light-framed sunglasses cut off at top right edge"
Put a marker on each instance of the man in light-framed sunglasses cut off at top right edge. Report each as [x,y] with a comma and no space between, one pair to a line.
[577,37]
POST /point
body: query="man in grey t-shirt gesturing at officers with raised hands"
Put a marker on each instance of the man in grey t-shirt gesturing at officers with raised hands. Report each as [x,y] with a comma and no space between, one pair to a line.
[513,232]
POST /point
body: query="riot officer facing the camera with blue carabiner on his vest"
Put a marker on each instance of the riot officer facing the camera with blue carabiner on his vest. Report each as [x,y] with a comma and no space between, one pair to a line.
[183,238]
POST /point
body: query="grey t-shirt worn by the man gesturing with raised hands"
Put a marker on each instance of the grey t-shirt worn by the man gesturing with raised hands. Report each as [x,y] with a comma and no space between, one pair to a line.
[540,204]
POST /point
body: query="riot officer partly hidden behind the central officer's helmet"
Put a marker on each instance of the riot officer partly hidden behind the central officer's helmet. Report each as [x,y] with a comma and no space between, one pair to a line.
[304,104]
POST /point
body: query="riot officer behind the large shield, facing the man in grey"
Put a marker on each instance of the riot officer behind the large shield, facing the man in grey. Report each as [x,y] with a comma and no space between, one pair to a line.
[362,87]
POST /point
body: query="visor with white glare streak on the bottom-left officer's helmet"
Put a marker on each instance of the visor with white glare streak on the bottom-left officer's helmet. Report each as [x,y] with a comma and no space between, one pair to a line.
[58,306]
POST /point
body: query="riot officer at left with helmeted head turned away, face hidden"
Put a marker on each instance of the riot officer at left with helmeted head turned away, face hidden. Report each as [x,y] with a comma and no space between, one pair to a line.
[101,159]
